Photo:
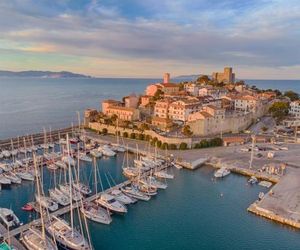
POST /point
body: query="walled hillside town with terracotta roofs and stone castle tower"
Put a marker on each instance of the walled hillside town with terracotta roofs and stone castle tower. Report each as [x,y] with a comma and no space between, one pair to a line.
[181,113]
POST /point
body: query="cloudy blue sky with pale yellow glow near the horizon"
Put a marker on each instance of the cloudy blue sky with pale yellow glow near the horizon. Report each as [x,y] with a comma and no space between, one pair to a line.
[260,39]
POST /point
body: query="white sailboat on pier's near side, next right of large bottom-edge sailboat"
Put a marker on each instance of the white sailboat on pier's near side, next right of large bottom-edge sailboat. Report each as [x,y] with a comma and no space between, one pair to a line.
[96,213]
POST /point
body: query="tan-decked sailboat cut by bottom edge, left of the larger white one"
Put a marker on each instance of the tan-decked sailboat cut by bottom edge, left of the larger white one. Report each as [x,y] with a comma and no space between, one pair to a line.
[33,239]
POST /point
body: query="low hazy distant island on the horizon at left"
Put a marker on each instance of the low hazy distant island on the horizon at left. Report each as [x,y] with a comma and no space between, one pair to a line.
[41,74]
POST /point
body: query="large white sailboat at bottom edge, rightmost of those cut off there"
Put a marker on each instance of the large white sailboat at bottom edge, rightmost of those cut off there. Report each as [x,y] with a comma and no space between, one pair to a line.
[66,236]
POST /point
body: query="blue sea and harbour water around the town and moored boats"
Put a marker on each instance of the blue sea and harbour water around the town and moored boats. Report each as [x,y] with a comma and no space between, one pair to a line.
[194,212]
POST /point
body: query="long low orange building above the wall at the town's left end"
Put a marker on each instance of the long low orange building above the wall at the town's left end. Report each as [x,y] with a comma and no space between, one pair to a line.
[123,113]
